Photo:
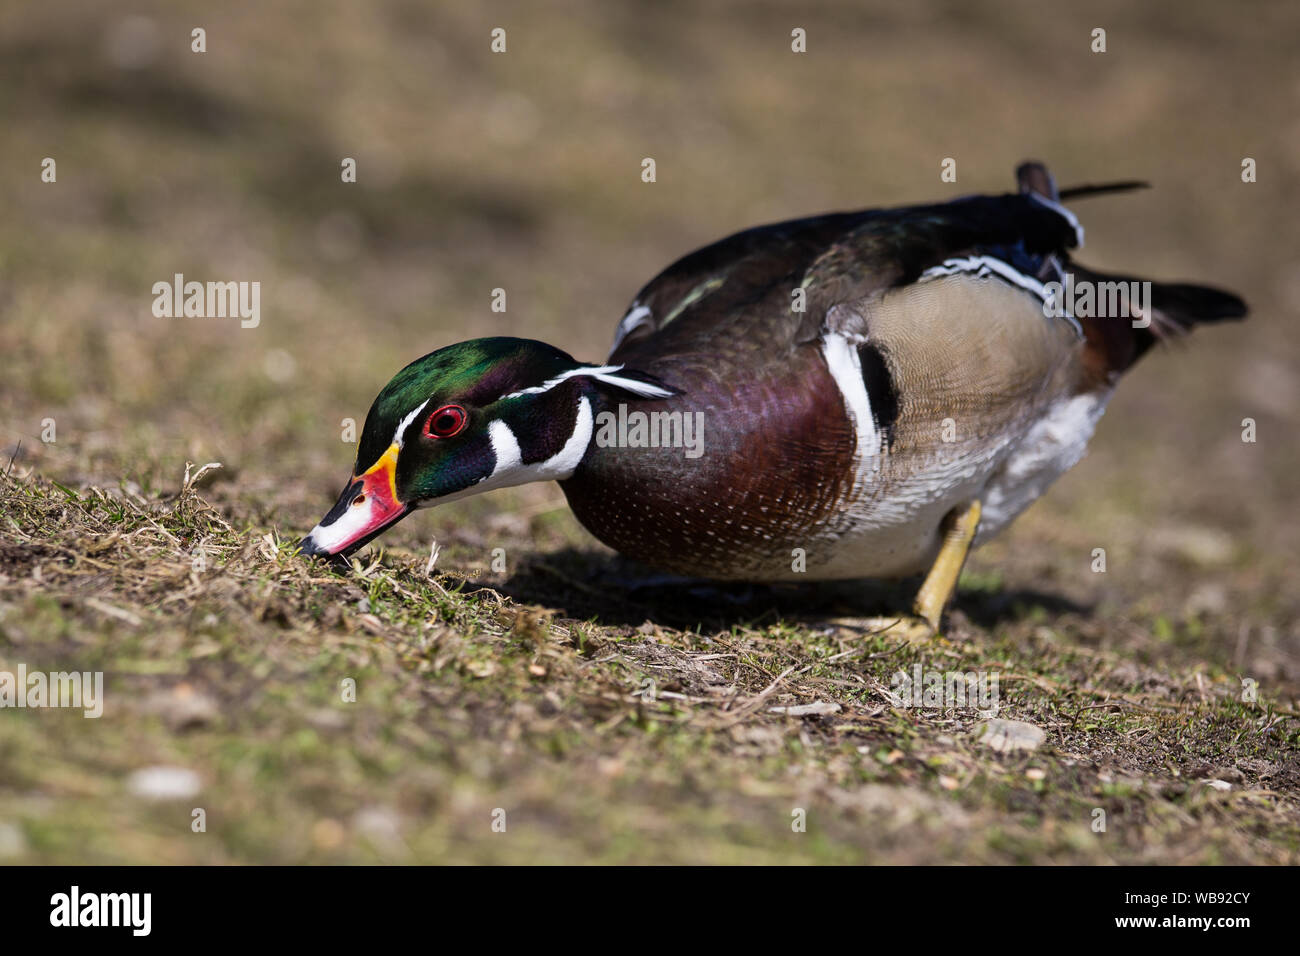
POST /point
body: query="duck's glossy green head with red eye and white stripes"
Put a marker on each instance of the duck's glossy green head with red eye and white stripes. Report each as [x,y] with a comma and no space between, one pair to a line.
[483,414]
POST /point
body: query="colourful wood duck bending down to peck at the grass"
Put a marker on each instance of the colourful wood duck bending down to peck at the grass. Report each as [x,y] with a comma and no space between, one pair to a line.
[861,395]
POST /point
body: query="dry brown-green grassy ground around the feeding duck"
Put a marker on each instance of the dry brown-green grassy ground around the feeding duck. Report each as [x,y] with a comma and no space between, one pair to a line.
[609,715]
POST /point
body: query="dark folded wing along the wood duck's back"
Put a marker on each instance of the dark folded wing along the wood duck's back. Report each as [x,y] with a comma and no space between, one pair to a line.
[775,287]
